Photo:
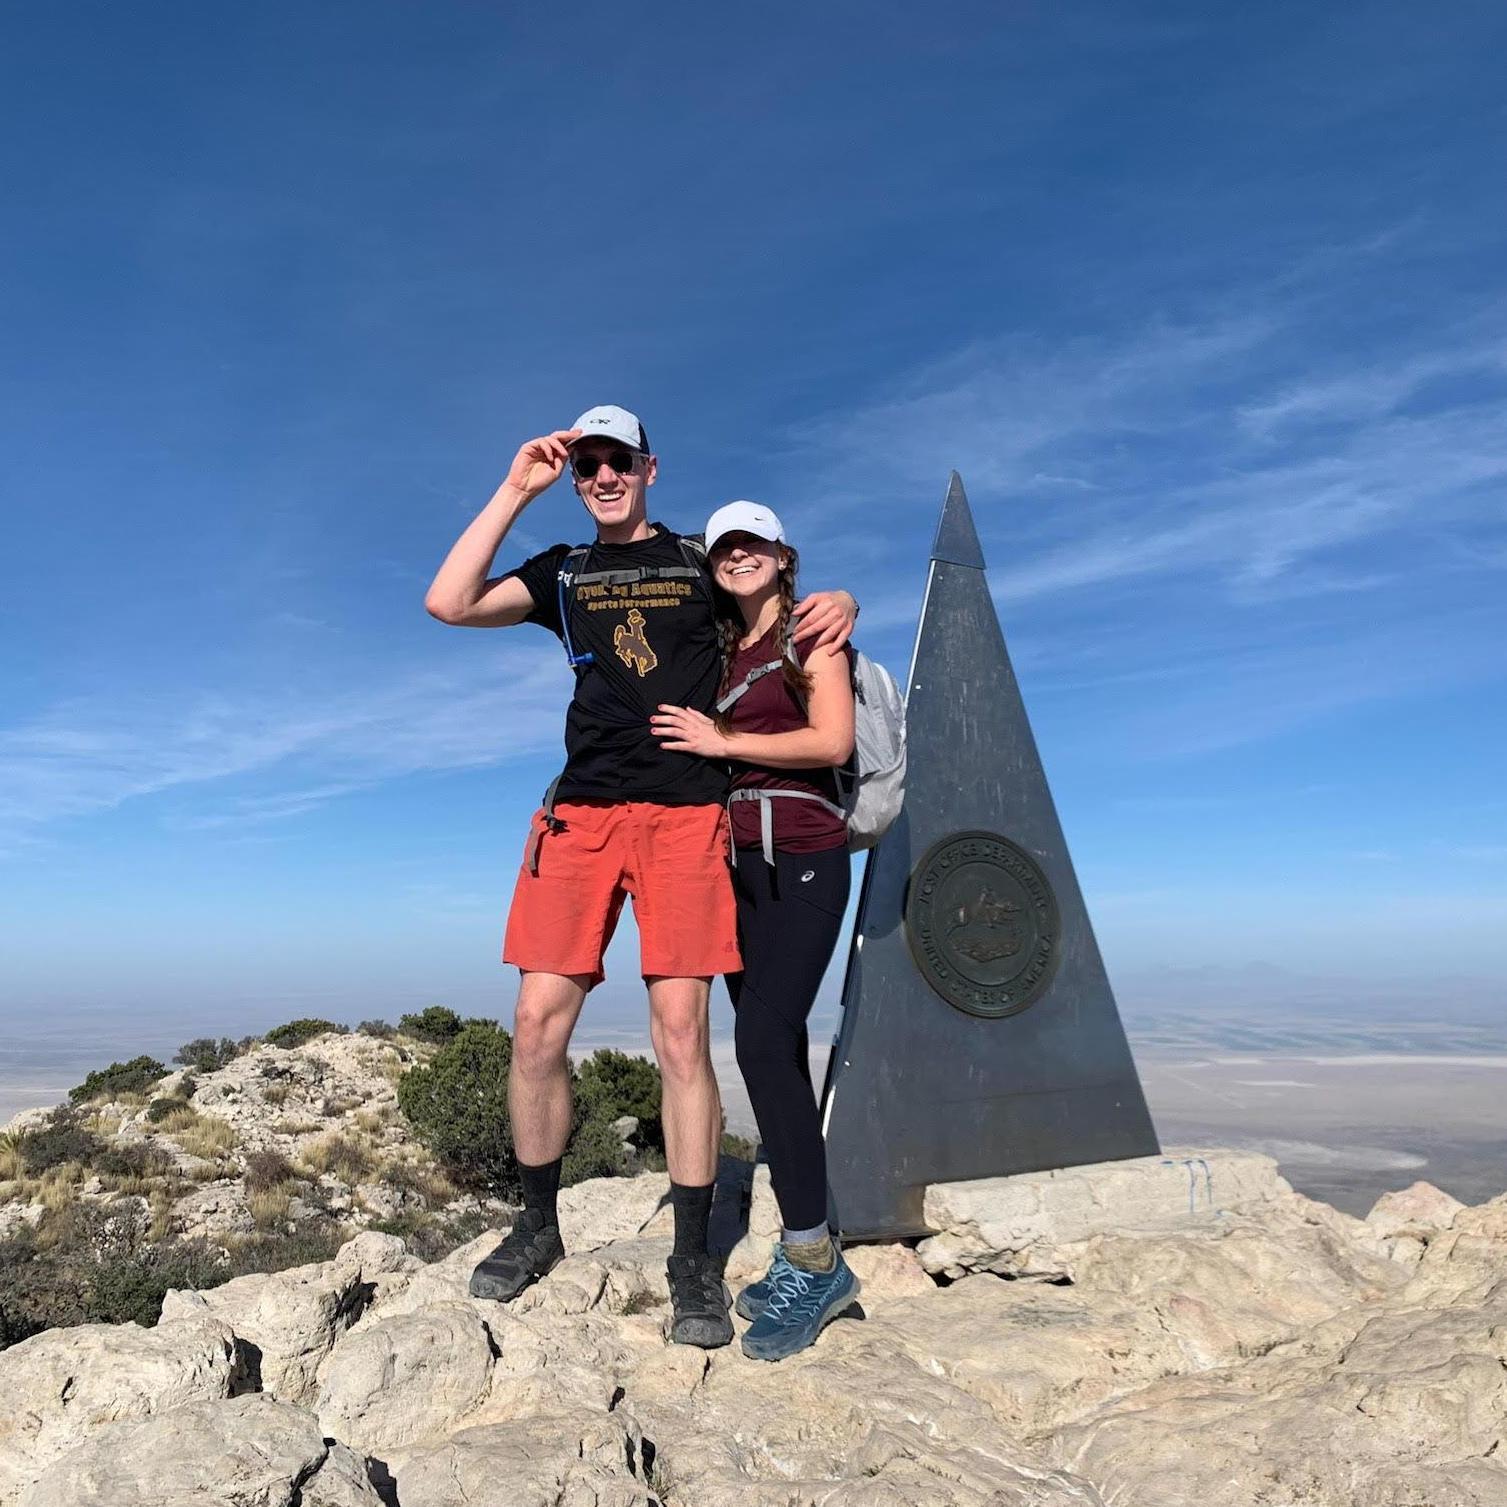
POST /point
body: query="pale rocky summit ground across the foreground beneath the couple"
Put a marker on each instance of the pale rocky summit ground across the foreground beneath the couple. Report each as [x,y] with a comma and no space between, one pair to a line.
[1178,1331]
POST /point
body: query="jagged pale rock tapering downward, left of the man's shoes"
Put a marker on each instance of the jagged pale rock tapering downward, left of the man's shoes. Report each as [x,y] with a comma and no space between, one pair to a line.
[293,1319]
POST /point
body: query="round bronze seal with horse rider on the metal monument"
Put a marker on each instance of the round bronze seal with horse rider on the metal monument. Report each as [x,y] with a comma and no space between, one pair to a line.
[983,925]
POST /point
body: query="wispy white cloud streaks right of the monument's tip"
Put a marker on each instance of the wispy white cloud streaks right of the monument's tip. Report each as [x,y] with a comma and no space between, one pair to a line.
[1188,450]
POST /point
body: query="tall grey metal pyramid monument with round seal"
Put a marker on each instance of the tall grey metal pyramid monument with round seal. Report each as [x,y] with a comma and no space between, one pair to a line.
[979,1032]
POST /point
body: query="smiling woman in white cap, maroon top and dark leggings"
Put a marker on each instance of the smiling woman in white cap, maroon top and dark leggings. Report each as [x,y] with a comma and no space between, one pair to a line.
[786,721]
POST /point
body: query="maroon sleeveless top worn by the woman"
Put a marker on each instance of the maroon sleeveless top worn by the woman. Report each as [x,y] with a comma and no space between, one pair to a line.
[771,706]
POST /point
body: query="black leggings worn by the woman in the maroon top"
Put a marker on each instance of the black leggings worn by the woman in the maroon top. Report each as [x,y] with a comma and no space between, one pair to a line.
[789,923]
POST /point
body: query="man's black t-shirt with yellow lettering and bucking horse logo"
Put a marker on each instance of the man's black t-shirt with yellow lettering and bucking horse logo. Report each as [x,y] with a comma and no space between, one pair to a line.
[652,641]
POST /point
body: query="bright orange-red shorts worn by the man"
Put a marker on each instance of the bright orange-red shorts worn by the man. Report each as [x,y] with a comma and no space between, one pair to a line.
[671,860]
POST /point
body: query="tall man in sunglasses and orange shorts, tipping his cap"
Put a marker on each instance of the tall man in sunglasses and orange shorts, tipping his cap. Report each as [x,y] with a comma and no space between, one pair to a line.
[635,614]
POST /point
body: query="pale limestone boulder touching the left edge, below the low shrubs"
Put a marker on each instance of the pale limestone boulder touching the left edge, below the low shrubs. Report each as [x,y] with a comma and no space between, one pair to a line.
[63,1386]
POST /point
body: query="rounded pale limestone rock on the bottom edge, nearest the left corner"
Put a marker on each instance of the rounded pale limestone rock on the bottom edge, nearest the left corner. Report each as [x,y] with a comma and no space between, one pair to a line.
[251,1452]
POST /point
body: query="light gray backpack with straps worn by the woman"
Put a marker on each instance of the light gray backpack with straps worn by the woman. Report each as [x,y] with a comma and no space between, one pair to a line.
[872,786]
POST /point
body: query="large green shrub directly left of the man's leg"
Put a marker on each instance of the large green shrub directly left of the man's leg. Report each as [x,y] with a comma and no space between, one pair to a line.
[459,1108]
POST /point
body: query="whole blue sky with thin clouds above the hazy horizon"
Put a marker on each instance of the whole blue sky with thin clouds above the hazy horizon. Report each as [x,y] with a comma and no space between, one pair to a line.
[1205,304]
